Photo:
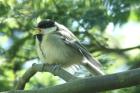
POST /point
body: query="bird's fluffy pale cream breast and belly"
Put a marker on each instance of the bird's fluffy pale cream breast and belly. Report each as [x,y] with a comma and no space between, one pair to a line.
[53,50]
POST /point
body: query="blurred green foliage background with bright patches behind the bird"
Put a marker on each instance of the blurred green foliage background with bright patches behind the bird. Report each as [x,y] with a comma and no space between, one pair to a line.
[106,27]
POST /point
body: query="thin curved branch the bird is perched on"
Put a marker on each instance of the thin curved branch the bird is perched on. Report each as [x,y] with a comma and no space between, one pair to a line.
[43,68]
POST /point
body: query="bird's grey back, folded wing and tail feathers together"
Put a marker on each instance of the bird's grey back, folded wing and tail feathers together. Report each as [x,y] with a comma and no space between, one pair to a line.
[92,65]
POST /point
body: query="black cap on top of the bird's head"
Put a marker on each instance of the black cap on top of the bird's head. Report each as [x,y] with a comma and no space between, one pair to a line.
[47,23]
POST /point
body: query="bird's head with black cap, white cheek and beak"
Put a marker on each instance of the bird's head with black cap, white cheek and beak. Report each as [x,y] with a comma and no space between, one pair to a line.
[45,26]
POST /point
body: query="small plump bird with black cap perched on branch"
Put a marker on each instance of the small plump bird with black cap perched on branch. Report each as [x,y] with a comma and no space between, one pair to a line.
[57,45]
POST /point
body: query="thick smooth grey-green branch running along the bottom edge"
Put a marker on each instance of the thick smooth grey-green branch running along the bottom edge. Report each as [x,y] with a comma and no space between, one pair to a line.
[92,85]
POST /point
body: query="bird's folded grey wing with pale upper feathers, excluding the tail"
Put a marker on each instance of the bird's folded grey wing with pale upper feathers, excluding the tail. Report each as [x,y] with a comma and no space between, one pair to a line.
[71,40]
